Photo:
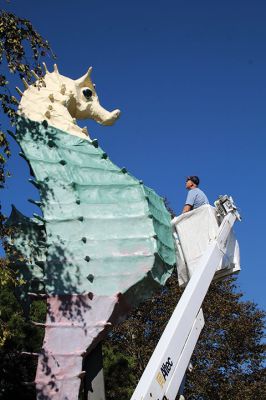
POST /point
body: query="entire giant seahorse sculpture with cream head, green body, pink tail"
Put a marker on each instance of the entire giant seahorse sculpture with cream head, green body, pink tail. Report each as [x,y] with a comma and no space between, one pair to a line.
[104,240]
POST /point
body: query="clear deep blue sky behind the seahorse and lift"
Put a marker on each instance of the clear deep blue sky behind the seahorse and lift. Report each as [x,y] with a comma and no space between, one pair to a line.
[190,80]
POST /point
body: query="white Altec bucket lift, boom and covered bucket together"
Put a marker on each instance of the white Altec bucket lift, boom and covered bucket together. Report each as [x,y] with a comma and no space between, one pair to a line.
[206,250]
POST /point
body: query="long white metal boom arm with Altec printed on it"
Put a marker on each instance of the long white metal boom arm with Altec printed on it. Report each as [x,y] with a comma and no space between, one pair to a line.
[166,368]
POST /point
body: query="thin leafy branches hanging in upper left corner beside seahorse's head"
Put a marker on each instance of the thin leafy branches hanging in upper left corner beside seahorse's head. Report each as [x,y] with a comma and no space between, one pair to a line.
[21,48]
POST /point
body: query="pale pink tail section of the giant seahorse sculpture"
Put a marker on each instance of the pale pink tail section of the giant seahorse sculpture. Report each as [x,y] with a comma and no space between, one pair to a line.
[71,324]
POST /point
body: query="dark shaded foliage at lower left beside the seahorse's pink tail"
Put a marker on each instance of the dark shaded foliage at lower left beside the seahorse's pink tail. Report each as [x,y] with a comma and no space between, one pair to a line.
[15,368]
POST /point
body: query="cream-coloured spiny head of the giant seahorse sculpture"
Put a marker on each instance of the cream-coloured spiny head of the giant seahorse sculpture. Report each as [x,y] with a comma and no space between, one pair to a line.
[61,101]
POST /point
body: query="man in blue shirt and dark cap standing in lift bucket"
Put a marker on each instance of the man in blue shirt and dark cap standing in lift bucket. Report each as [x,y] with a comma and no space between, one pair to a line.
[196,197]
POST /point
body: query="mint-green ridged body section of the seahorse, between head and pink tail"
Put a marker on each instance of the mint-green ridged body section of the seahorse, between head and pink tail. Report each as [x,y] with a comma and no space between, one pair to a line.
[105,231]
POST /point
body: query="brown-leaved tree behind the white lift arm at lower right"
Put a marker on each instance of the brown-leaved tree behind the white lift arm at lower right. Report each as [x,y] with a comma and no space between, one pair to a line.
[228,360]
